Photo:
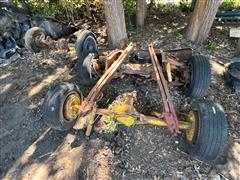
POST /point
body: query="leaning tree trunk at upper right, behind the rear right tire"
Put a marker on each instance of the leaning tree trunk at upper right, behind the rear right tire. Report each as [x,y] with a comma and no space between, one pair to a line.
[202,20]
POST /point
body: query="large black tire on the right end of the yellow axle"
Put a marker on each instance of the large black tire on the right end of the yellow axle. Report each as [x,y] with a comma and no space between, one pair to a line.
[211,132]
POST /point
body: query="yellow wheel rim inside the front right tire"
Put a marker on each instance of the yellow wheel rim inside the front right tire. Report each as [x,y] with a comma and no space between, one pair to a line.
[191,132]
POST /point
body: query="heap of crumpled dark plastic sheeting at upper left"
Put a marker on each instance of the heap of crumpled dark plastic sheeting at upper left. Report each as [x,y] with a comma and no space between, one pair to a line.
[15,22]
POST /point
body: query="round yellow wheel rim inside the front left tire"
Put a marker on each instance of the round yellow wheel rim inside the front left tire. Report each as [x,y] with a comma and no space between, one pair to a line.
[71,106]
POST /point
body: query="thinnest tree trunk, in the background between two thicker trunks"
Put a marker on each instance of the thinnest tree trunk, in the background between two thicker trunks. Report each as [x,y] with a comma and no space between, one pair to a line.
[141,12]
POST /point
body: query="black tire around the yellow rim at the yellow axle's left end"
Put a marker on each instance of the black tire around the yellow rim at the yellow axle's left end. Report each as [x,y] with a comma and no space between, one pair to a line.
[53,106]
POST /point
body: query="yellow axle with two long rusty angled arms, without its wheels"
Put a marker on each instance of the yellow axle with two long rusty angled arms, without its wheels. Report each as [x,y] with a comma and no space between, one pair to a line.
[126,114]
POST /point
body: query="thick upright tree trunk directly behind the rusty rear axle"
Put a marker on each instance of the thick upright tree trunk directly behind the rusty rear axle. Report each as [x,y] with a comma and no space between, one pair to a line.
[116,27]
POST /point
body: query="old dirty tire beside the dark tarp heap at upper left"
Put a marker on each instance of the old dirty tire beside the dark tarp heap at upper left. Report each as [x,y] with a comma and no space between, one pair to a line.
[29,39]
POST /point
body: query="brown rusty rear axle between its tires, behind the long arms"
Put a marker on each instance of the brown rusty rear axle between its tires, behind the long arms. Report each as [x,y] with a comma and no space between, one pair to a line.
[174,62]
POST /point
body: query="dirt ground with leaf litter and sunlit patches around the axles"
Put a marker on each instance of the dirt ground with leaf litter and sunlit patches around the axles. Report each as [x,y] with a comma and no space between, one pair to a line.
[31,150]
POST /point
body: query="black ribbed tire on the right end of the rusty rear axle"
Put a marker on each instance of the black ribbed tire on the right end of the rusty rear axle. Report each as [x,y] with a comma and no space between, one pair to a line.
[200,76]
